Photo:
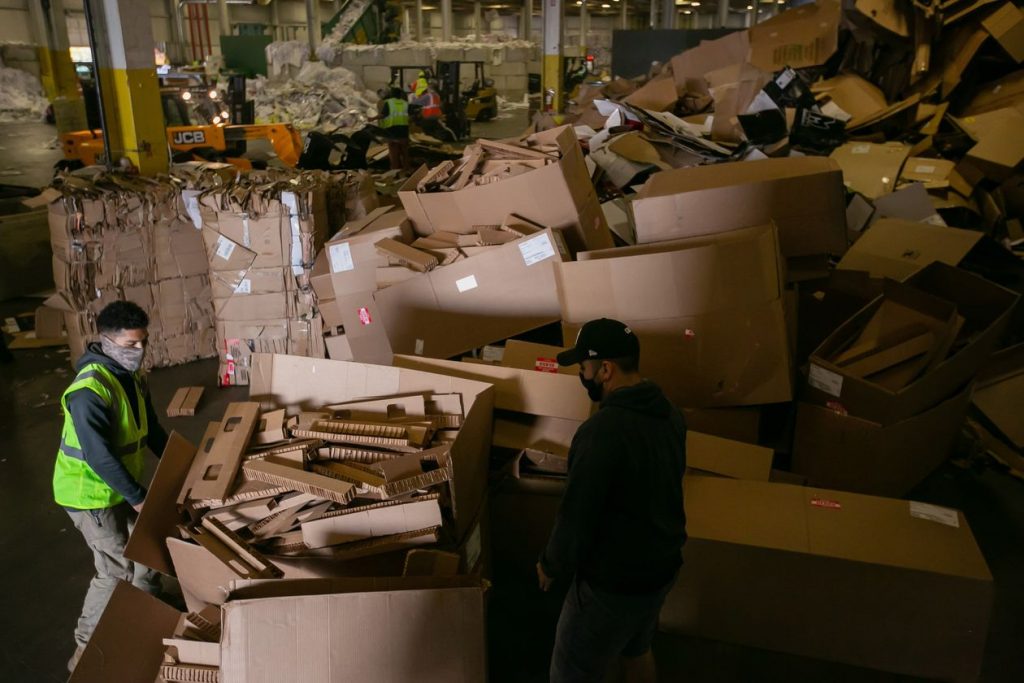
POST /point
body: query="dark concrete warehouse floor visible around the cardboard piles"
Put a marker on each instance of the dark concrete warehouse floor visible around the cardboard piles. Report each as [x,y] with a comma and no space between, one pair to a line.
[49,567]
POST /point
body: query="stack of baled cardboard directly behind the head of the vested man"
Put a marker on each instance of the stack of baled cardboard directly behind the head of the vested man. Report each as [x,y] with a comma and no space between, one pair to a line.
[118,238]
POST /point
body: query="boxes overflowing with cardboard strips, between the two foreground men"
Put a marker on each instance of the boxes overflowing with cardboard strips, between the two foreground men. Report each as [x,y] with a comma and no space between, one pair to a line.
[339,486]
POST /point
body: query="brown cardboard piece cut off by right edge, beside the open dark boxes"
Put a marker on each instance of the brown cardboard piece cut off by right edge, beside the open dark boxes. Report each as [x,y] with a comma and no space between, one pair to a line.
[1001,394]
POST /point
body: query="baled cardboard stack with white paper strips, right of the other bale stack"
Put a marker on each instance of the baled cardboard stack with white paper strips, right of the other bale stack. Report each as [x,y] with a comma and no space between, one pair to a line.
[263,233]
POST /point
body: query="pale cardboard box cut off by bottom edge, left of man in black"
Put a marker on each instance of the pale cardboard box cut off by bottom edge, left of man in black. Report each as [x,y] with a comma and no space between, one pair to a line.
[392,631]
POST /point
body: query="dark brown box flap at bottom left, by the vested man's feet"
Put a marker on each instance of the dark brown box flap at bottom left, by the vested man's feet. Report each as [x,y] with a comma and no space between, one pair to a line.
[132,617]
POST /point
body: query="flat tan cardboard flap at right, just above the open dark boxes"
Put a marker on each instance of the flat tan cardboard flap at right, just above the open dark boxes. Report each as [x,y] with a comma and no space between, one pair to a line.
[898,249]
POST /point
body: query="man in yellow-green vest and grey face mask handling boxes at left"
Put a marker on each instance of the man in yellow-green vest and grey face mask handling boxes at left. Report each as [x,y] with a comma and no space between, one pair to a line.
[109,422]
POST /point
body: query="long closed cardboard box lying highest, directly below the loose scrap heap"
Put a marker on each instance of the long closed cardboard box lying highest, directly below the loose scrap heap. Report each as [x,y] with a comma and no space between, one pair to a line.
[803,197]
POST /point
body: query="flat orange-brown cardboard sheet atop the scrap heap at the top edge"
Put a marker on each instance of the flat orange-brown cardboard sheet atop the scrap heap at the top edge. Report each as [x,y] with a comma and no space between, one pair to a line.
[804,36]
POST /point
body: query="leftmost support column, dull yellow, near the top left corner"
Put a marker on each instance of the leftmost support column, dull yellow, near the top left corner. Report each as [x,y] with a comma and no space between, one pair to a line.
[57,71]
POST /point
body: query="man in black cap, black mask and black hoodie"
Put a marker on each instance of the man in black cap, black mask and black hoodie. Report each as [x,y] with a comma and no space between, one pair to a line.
[621,527]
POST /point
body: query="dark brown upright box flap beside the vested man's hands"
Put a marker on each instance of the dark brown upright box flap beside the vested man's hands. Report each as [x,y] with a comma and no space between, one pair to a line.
[160,517]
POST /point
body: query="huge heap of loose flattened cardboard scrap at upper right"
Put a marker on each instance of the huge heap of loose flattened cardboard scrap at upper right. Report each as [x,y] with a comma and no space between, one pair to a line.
[894,93]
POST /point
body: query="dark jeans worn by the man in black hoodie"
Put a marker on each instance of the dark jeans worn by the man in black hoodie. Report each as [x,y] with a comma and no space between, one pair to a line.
[598,627]
